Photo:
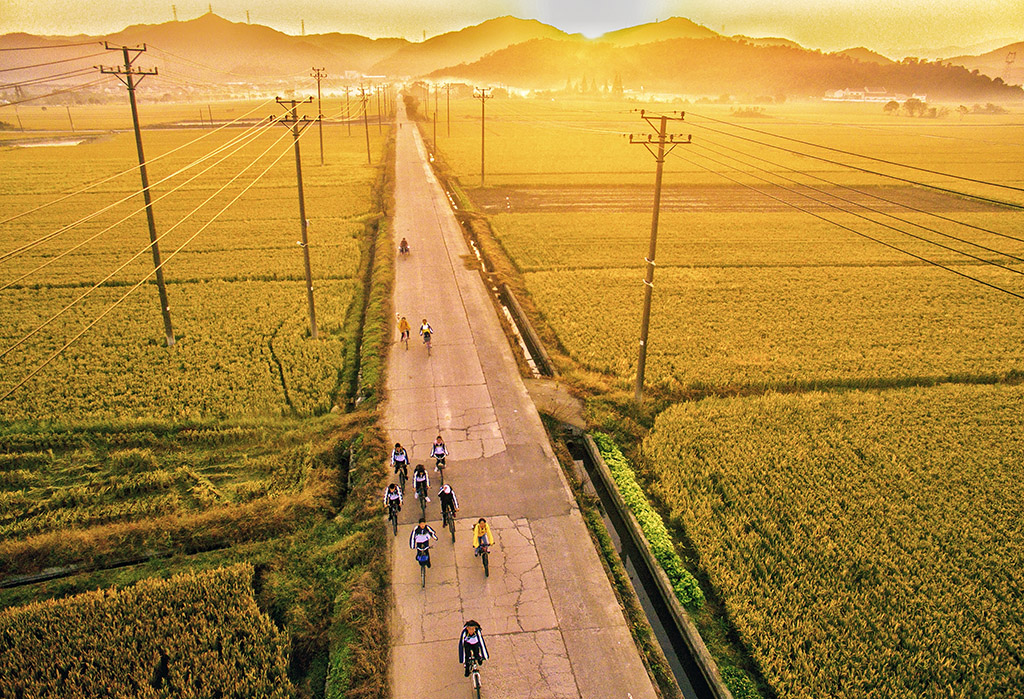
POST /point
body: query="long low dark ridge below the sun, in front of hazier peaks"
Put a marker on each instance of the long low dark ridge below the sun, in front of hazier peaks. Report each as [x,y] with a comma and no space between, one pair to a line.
[719,66]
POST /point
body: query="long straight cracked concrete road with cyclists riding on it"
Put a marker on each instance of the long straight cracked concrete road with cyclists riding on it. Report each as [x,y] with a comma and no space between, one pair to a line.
[549,616]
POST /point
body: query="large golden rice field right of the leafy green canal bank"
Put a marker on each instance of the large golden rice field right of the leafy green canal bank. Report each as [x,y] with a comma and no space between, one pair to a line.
[865,544]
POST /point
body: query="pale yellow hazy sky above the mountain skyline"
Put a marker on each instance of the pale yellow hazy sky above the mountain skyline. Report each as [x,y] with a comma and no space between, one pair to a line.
[882,25]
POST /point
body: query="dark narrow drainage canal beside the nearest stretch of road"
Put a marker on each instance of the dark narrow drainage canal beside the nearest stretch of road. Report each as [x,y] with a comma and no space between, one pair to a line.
[688,673]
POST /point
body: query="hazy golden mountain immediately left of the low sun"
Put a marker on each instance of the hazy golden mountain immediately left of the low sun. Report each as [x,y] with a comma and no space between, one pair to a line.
[466,46]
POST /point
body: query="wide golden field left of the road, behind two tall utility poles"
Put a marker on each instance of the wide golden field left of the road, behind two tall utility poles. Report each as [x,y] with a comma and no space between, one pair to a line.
[234,272]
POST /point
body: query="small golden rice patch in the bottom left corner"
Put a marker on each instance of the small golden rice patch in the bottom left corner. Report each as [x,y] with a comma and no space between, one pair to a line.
[196,635]
